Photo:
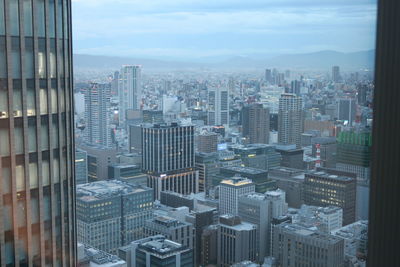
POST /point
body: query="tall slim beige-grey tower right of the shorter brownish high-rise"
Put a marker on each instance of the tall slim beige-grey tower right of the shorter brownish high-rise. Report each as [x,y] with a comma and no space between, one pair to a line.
[290,120]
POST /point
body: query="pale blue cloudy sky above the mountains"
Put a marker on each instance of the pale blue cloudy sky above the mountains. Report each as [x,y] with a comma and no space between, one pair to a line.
[201,29]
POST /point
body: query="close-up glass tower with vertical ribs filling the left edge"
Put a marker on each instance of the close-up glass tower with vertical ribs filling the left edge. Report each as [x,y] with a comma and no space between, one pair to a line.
[36,134]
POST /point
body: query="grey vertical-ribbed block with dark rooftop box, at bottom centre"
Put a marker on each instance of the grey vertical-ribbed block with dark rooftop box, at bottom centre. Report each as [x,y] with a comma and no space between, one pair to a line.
[237,241]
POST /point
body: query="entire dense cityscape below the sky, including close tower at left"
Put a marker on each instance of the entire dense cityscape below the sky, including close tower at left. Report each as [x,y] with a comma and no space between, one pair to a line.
[126,162]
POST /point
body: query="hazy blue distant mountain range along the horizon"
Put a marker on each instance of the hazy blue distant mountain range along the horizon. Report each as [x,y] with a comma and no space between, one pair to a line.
[322,60]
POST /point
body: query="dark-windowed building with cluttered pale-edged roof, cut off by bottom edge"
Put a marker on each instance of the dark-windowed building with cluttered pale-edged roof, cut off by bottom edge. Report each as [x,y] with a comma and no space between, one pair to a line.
[156,251]
